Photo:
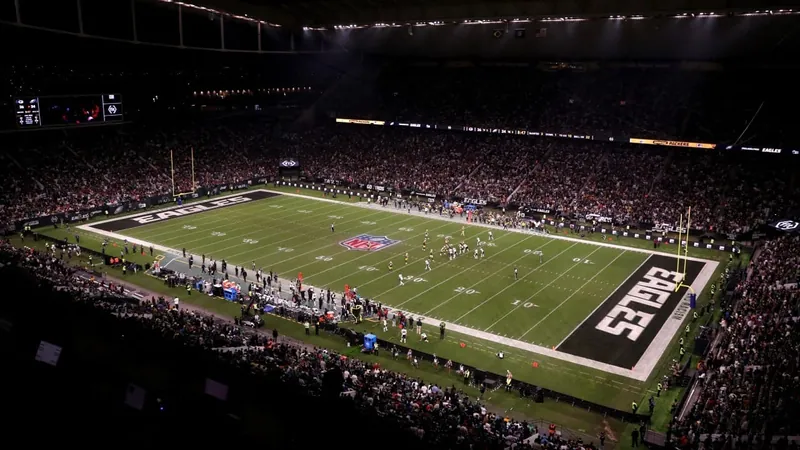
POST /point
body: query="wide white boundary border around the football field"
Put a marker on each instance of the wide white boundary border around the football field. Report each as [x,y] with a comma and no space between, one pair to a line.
[640,372]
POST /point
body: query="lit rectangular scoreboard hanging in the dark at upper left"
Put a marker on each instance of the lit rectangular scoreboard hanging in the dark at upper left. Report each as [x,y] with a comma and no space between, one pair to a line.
[67,110]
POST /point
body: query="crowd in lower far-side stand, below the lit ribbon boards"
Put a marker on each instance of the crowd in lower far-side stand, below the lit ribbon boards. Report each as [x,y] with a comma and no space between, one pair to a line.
[728,192]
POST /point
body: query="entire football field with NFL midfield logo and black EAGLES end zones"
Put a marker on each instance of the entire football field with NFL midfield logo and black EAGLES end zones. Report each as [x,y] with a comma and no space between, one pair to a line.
[595,306]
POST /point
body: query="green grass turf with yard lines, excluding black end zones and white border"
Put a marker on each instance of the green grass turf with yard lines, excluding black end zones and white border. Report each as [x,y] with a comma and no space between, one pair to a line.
[289,234]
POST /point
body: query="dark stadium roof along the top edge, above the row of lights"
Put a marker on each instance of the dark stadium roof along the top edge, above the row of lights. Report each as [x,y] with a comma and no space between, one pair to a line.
[318,13]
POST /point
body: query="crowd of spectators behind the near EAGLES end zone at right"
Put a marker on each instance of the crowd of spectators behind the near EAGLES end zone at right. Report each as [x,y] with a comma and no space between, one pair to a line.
[750,385]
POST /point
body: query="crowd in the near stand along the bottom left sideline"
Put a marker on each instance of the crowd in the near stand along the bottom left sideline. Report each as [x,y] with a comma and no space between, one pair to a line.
[437,415]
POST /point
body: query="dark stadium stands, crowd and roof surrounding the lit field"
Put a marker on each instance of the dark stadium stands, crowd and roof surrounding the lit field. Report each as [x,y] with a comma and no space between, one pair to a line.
[606,110]
